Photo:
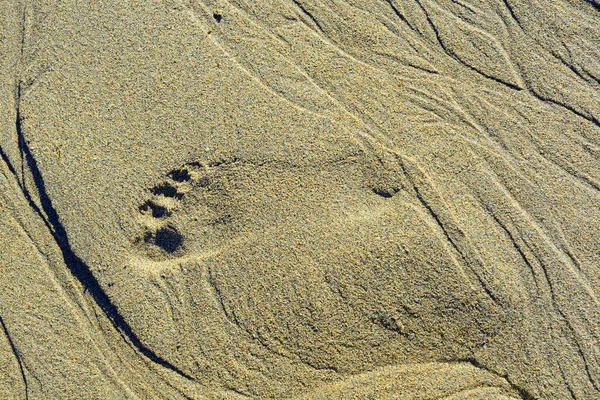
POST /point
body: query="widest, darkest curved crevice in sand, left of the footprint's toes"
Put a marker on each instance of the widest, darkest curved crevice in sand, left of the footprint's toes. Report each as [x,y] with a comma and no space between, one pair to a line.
[77,267]
